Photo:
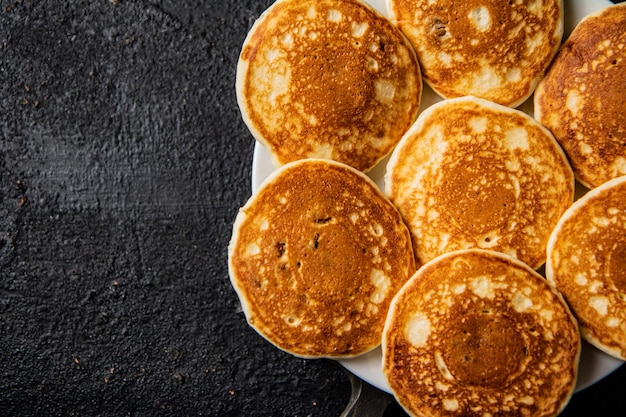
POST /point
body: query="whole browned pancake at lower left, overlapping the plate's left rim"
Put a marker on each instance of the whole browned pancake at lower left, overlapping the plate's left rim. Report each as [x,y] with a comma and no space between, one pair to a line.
[316,256]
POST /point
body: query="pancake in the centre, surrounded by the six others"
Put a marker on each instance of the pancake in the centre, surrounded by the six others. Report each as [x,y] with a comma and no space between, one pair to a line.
[474,174]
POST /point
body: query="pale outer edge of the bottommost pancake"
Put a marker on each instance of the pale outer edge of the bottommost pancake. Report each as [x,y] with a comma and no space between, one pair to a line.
[389,322]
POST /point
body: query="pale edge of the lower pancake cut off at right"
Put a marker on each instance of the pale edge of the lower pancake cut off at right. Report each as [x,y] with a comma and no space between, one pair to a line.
[570,214]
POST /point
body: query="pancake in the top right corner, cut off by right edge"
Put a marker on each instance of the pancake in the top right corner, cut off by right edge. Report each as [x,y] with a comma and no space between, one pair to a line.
[583,96]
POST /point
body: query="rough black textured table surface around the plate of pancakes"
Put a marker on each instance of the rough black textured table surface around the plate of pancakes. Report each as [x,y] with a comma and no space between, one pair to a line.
[123,161]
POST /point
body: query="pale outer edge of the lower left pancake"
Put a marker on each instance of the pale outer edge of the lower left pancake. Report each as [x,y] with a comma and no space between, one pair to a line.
[241,218]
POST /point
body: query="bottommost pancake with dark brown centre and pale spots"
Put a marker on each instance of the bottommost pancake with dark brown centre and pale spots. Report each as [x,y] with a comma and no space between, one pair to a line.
[477,333]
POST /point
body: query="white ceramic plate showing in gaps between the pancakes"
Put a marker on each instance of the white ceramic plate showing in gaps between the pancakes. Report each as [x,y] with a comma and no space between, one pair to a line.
[594,364]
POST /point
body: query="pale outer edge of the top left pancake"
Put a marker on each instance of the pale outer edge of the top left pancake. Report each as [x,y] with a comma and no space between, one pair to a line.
[243,66]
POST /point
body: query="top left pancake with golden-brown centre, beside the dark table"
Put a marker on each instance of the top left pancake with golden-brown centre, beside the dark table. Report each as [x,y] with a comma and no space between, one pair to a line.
[327,79]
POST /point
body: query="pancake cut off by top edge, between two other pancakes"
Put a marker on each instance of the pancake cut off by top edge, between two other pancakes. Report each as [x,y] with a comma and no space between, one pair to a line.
[493,49]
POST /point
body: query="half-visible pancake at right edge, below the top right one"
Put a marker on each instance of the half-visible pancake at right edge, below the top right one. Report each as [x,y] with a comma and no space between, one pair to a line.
[587,264]
